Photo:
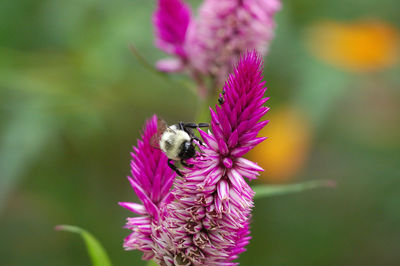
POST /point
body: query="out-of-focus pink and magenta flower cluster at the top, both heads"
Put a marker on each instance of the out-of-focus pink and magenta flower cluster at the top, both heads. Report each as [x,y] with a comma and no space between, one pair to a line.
[223,30]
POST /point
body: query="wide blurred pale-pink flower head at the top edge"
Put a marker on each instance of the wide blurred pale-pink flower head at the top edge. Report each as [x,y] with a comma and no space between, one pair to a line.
[225,29]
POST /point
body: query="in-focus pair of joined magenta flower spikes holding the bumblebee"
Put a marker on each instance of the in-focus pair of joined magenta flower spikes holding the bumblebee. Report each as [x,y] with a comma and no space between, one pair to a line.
[204,219]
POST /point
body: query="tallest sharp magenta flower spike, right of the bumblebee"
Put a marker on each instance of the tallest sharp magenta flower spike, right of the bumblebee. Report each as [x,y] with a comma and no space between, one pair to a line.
[208,222]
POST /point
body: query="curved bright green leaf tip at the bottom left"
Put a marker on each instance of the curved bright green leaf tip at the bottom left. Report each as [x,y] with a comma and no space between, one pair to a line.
[96,251]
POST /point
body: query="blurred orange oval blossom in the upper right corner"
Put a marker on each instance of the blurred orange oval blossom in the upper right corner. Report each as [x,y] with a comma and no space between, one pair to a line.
[360,46]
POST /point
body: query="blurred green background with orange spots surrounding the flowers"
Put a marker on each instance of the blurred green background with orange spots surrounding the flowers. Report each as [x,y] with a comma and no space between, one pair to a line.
[73,100]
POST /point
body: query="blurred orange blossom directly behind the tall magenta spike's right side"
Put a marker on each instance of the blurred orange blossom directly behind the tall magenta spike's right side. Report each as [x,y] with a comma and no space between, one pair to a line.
[285,151]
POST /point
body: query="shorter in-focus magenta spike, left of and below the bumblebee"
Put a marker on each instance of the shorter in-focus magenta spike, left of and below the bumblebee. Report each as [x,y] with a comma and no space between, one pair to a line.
[151,180]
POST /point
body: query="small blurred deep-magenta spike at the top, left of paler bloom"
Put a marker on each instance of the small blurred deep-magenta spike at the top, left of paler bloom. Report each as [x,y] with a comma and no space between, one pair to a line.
[171,21]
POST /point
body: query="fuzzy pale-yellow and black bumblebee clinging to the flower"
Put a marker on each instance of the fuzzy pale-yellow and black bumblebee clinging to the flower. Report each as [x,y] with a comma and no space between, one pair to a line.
[176,142]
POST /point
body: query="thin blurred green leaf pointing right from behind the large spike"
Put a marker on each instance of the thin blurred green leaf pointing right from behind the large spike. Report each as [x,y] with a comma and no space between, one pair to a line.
[275,190]
